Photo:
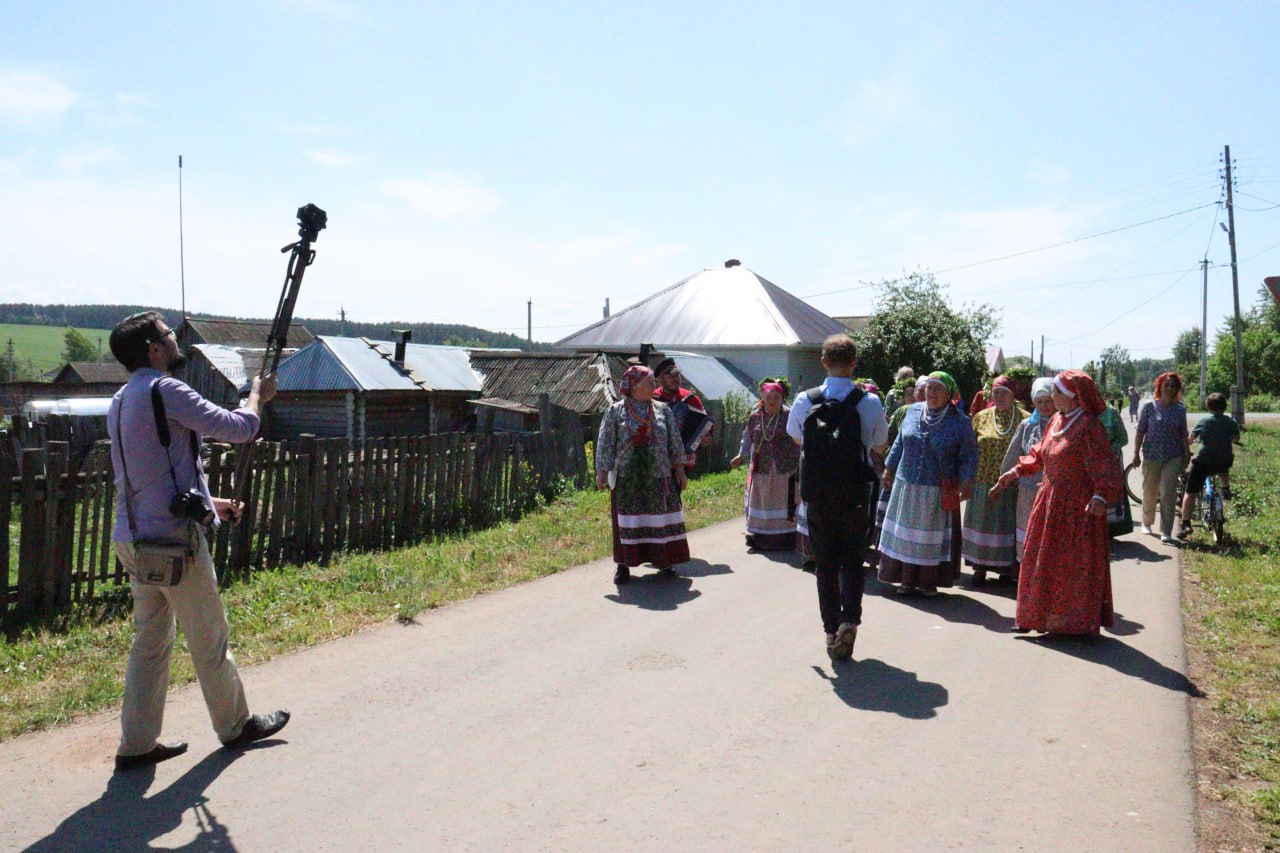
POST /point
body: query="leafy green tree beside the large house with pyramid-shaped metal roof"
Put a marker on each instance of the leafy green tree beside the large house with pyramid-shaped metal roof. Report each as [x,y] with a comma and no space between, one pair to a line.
[915,325]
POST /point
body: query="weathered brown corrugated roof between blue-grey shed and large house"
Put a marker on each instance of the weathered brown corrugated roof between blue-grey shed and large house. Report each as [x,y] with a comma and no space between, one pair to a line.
[579,382]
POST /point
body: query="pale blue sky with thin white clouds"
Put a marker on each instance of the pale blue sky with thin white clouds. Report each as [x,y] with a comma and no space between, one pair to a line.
[473,157]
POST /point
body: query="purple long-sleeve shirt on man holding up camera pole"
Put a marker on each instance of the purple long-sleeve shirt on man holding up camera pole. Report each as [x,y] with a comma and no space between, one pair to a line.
[149,469]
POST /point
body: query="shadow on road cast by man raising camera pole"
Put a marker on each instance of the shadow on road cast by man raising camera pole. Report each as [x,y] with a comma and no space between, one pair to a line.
[126,819]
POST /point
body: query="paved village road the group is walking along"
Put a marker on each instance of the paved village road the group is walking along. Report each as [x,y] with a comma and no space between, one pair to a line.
[691,714]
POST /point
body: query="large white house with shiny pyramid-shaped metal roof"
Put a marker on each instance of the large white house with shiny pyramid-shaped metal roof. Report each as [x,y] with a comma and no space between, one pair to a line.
[729,313]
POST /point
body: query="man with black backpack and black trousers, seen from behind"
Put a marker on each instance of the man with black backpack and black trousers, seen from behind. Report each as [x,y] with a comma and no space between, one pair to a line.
[836,425]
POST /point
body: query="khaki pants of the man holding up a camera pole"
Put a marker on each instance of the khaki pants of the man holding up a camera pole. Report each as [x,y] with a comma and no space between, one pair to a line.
[199,610]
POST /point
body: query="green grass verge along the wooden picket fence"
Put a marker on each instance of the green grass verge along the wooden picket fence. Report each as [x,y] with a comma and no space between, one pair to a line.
[54,673]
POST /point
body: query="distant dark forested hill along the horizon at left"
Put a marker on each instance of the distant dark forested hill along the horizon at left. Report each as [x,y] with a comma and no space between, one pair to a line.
[104,317]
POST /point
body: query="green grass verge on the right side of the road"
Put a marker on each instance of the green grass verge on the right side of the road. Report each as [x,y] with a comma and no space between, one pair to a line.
[1235,623]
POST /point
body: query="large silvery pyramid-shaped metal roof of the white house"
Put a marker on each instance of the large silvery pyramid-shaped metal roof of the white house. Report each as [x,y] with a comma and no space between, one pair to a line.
[726,307]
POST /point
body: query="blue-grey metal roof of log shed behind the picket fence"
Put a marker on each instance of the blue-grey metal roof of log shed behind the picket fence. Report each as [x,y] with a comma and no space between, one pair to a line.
[358,364]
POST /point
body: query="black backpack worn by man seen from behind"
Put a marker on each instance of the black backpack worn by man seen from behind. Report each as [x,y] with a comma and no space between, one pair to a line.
[834,472]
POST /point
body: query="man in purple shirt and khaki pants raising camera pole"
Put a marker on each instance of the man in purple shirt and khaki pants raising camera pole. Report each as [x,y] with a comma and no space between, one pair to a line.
[163,508]
